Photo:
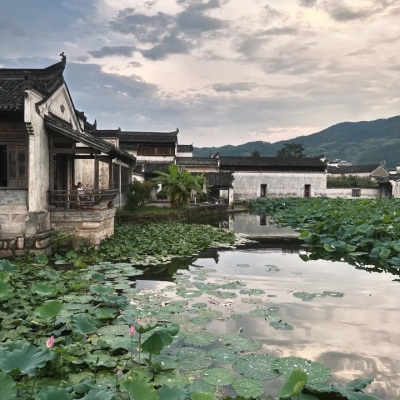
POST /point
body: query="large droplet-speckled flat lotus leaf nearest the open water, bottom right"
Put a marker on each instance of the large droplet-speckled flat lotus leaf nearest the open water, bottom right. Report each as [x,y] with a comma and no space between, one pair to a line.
[316,372]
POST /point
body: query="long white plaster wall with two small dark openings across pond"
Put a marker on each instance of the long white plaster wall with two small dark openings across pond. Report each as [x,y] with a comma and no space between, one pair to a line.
[247,185]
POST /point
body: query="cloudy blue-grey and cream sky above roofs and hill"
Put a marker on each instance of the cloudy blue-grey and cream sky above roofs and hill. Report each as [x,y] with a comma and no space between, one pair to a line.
[222,71]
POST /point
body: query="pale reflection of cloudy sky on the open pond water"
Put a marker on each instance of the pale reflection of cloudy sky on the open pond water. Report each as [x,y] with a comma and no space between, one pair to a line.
[356,336]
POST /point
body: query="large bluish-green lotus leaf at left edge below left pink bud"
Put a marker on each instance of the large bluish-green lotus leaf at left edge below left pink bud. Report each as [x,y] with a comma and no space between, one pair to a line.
[24,359]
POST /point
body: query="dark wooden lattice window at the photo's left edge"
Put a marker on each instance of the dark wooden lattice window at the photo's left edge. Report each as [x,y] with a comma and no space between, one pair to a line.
[13,165]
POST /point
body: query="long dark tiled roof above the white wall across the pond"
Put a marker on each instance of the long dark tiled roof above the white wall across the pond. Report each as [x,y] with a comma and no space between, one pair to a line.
[257,162]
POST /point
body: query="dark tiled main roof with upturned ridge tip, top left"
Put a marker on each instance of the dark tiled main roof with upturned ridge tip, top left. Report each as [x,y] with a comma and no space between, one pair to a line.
[13,83]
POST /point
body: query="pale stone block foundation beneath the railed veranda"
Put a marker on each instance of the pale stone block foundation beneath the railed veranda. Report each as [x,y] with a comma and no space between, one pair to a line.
[94,225]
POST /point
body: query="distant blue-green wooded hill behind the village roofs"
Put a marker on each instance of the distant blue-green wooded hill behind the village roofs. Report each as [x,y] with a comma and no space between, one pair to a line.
[365,142]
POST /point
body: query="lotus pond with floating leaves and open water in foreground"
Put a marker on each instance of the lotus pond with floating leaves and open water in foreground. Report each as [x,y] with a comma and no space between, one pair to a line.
[234,321]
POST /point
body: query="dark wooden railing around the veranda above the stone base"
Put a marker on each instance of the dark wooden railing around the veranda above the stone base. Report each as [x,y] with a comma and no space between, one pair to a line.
[71,199]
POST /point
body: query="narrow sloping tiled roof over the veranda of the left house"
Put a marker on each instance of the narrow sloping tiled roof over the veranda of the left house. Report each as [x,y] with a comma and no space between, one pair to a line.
[65,128]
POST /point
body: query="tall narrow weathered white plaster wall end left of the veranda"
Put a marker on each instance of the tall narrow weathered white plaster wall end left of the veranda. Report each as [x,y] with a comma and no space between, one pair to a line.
[38,158]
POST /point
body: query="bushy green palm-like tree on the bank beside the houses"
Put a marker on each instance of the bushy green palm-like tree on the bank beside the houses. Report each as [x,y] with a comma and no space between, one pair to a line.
[178,185]
